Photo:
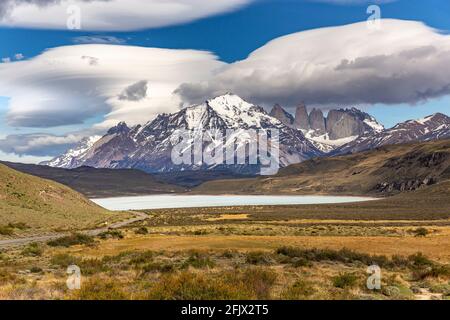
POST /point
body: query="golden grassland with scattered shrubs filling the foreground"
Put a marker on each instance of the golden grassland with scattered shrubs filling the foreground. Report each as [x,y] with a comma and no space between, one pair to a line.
[189,254]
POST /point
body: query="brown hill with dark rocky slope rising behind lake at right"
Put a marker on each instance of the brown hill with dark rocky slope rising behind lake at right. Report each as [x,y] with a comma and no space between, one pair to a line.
[384,171]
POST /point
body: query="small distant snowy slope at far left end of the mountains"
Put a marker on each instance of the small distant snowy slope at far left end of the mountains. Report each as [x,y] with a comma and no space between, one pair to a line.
[74,155]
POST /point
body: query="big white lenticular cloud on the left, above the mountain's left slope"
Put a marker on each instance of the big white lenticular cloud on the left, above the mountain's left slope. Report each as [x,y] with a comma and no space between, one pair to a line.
[68,85]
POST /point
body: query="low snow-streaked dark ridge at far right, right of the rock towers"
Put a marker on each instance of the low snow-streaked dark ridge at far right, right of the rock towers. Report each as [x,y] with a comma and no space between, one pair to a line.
[433,127]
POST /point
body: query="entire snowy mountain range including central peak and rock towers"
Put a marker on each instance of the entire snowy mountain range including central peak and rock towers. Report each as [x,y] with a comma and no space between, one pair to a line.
[303,136]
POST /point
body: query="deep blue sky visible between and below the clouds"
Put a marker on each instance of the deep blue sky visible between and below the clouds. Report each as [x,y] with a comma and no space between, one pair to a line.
[232,36]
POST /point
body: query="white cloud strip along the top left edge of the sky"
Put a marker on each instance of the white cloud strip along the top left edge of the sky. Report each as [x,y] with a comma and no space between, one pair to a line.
[112,15]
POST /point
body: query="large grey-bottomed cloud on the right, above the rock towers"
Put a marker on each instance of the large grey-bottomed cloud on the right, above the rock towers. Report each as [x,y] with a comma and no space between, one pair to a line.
[403,62]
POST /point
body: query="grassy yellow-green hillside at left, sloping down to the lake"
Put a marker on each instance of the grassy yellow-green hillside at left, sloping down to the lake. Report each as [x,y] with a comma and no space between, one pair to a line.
[45,205]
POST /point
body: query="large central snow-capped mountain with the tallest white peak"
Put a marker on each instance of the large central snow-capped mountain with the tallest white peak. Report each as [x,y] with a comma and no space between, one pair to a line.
[149,147]
